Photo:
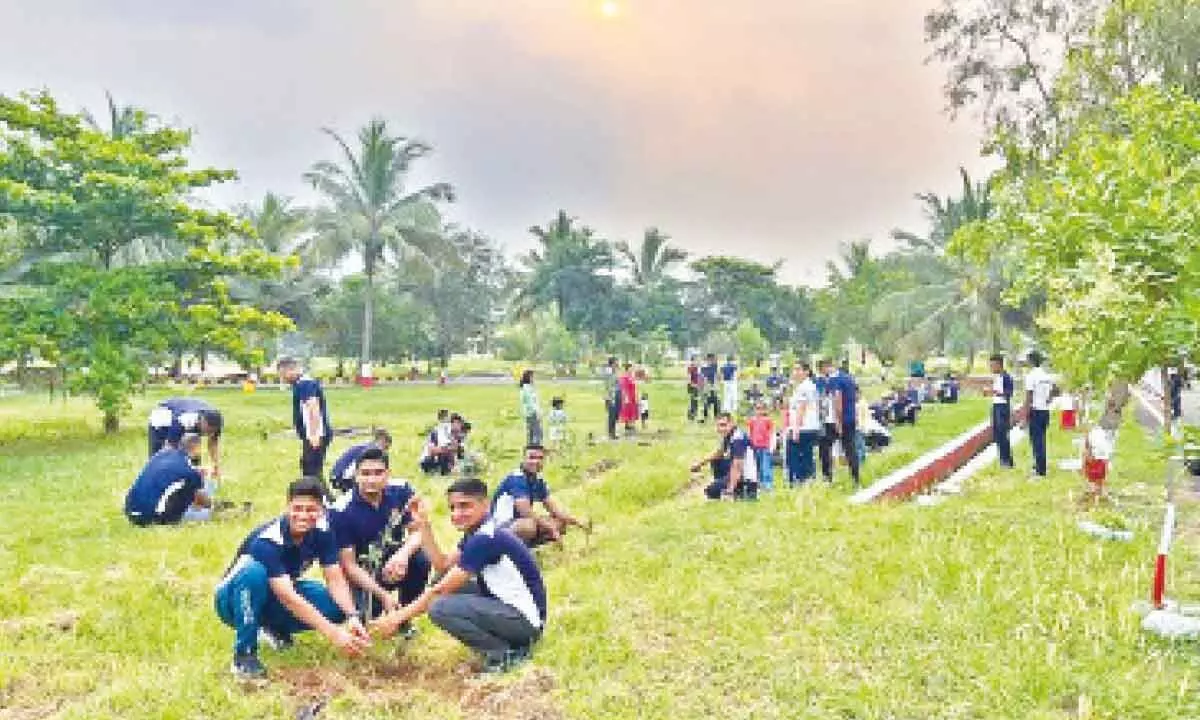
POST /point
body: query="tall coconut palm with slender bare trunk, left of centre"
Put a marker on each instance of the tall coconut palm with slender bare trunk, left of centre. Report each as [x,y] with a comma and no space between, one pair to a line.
[371,214]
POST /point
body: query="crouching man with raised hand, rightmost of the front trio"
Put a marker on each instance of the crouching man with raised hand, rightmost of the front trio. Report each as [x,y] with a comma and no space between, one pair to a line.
[491,597]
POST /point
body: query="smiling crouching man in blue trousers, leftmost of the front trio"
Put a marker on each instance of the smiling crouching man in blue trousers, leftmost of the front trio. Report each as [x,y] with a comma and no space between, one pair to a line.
[262,590]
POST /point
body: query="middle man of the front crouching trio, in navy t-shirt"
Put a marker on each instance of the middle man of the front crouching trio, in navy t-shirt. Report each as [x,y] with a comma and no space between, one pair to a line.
[376,556]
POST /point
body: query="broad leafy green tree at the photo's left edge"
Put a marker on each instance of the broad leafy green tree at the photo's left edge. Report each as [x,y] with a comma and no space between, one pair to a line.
[86,196]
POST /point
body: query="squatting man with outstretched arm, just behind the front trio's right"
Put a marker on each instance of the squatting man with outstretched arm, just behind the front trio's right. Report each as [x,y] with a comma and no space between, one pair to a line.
[515,496]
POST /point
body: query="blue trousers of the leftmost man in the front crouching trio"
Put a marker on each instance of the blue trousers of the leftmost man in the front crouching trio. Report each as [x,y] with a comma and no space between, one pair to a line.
[247,603]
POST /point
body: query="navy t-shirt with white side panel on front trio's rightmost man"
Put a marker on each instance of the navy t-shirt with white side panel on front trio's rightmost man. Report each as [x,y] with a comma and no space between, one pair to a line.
[506,571]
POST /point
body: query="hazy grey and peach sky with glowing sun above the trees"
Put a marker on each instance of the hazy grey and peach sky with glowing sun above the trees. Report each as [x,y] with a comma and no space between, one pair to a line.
[772,130]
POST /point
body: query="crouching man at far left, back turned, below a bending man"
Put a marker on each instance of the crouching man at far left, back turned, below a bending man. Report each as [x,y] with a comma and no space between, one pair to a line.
[170,488]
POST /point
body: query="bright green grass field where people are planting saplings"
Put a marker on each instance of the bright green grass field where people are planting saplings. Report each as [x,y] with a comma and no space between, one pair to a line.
[992,605]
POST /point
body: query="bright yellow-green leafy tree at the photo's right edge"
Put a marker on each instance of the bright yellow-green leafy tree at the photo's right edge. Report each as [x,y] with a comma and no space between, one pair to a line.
[1109,230]
